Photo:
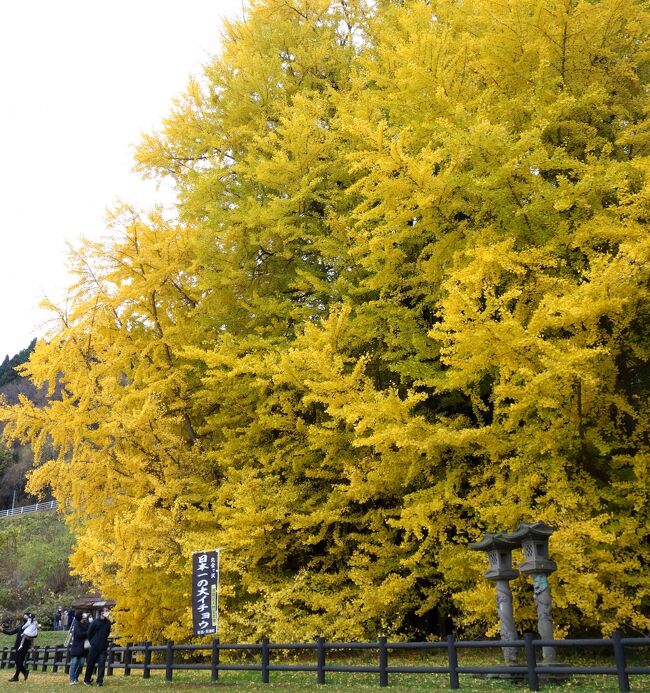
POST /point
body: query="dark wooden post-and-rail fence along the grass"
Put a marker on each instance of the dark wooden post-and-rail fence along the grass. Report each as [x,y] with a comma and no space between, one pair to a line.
[532,671]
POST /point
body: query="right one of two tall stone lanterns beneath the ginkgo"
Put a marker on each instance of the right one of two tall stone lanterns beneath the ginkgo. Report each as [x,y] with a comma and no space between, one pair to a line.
[533,539]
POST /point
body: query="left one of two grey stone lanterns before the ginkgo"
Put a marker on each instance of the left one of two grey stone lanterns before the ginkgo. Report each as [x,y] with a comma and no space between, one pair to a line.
[499,550]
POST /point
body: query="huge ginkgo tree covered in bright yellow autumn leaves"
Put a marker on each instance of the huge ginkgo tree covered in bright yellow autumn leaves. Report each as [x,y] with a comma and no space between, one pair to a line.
[402,301]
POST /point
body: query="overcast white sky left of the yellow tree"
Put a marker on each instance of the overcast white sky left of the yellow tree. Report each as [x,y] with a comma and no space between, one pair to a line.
[80,80]
